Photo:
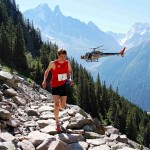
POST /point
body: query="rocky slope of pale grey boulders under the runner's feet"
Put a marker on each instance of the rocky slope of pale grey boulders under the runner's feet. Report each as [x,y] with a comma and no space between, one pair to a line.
[27,122]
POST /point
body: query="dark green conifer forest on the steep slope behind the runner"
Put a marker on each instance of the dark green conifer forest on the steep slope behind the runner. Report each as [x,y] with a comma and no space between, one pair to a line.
[23,51]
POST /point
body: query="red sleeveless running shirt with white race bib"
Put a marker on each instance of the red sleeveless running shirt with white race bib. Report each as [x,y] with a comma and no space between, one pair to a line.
[59,73]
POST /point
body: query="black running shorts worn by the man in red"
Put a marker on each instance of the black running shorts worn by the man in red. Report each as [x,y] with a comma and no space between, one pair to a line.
[60,90]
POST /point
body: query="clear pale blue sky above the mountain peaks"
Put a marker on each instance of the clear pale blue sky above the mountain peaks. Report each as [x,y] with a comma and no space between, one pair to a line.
[109,15]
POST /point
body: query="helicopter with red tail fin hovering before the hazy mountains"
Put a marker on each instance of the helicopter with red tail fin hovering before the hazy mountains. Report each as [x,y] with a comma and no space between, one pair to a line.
[95,54]
